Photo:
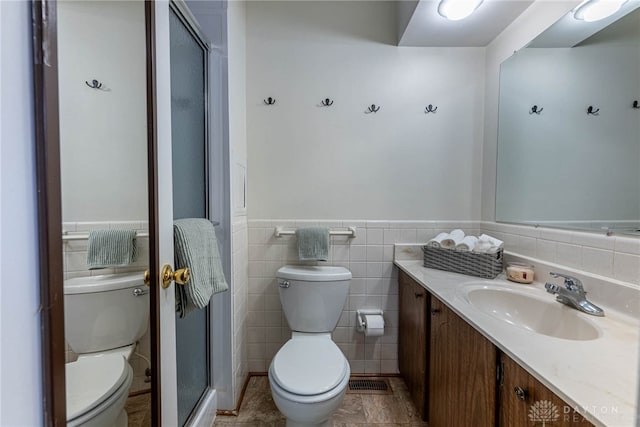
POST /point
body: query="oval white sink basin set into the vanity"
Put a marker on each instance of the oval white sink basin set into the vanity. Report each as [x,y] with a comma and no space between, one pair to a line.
[525,309]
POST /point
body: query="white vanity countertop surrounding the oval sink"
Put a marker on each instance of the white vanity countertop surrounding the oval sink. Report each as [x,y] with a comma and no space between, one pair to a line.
[598,378]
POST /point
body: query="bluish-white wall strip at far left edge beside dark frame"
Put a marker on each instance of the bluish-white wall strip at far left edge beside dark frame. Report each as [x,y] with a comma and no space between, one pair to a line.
[20,353]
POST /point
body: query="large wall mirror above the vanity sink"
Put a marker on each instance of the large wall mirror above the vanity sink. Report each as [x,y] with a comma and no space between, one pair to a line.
[569,127]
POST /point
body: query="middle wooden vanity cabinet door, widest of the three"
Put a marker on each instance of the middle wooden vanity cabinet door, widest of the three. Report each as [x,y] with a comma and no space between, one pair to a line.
[462,372]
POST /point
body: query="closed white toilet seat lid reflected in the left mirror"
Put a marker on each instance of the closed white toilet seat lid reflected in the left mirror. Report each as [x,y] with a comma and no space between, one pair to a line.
[95,383]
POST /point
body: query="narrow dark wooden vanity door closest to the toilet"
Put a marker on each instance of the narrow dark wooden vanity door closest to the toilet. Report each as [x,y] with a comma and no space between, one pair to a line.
[412,340]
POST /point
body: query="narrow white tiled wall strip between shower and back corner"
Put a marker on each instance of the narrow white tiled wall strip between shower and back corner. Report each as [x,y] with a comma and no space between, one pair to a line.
[240,298]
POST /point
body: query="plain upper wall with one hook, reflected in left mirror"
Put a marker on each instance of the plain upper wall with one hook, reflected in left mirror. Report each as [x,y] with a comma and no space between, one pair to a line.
[103,134]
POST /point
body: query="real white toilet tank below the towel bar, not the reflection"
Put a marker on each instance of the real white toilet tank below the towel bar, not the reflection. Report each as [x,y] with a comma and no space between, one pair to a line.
[313,297]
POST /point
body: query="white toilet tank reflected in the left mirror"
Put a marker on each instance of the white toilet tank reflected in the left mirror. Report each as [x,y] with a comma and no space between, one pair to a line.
[102,312]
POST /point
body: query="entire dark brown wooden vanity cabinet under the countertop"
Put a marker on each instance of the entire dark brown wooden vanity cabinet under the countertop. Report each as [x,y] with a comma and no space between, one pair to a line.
[457,377]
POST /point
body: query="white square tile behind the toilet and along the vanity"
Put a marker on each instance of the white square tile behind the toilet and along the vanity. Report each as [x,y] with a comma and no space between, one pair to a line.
[369,256]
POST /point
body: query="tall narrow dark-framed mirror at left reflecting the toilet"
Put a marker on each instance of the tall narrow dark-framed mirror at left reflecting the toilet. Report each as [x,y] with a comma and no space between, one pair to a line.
[103,149]
